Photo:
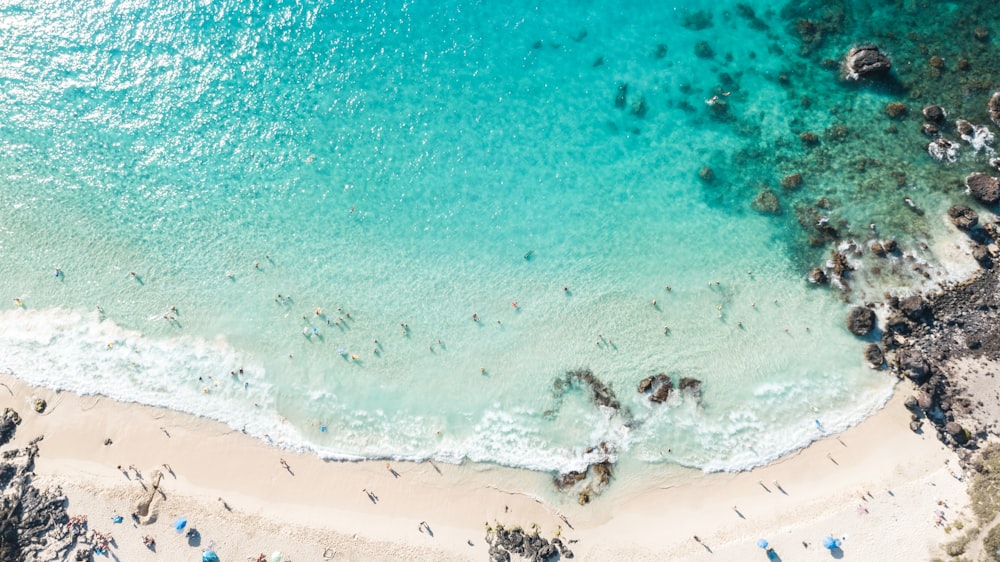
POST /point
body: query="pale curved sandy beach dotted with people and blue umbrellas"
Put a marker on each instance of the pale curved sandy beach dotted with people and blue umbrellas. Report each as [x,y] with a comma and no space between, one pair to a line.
[876,486]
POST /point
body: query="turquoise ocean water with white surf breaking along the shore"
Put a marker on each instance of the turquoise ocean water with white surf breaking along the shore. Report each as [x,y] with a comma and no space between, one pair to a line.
[391,169]
